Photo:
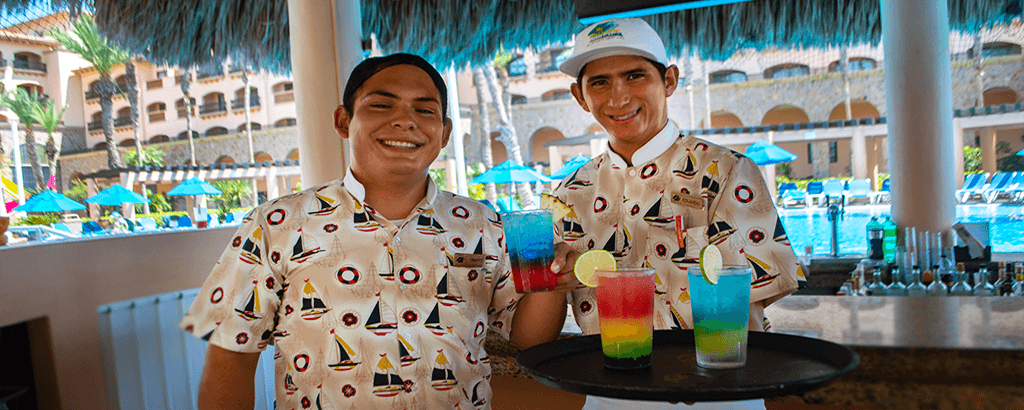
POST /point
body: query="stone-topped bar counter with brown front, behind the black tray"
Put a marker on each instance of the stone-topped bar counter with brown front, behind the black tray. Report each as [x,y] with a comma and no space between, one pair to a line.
[917,353]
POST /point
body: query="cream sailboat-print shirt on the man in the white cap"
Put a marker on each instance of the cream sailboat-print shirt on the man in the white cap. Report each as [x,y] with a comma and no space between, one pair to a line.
[681,194]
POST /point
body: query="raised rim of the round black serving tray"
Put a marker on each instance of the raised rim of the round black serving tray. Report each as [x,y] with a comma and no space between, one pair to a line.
[848,361]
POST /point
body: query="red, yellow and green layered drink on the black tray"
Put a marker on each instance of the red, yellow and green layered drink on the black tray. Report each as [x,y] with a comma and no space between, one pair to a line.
[626,309]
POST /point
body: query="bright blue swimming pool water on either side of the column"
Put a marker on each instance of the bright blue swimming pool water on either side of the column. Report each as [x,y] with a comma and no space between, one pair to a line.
[812,227]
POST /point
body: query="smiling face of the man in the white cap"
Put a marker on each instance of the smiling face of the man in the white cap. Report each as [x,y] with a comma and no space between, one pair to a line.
[628,97]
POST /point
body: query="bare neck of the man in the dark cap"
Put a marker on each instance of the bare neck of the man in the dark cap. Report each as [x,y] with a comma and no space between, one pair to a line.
[397,197]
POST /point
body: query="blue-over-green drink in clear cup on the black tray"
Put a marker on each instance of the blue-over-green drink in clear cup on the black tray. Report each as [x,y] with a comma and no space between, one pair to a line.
[720,317]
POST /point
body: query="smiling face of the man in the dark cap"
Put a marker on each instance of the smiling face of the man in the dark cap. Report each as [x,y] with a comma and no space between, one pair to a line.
[397,128]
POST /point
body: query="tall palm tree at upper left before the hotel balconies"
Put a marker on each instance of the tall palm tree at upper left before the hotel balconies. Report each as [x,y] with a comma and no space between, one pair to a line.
[86,42]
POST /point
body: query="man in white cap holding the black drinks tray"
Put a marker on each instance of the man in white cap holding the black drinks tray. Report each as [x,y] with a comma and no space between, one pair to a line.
[657,197]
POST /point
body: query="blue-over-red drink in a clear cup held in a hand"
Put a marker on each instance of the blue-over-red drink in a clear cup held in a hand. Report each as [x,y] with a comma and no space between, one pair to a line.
[530,236]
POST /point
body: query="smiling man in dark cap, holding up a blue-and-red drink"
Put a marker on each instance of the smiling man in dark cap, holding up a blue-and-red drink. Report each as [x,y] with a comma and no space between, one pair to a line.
[358,283]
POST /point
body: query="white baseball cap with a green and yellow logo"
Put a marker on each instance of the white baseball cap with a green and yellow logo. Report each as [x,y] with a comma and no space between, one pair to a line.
[615,37]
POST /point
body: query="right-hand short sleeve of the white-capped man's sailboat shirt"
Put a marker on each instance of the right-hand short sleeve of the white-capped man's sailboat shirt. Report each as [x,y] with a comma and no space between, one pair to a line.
[746,225]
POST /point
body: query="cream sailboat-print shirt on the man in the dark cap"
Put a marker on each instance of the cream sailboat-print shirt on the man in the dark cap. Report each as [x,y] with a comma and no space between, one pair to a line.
[364,313]
